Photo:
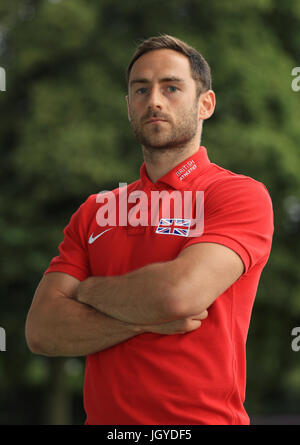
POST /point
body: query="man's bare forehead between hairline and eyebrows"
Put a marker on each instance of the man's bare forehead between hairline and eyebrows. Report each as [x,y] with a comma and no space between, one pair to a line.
[161,63]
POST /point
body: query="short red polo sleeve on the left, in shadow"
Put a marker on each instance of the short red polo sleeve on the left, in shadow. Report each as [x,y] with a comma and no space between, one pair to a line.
[73,258]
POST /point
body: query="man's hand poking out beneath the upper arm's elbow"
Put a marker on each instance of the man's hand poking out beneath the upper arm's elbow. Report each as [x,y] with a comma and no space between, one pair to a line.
[181,326]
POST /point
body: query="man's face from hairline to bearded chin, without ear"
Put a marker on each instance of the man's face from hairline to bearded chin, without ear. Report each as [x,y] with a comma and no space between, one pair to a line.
[162,103]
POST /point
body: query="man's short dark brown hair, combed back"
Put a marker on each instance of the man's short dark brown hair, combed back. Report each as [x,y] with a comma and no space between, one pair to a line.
[199,66]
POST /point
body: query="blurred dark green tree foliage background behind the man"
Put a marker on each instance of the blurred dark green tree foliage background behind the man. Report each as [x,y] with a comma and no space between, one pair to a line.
[64,134]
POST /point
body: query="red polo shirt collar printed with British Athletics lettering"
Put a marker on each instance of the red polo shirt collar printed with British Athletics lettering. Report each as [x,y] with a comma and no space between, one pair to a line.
[183,173]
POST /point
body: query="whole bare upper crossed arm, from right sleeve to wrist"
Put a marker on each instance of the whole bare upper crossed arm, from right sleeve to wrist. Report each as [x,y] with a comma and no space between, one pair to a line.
[164,292]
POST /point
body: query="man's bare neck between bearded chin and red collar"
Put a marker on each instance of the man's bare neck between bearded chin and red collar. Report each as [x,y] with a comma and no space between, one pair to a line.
[161,160]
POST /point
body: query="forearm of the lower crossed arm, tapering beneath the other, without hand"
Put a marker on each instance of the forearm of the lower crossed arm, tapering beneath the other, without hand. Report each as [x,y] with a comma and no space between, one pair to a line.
[70,328]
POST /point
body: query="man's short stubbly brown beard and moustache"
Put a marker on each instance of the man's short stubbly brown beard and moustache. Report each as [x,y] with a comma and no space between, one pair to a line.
[167,135]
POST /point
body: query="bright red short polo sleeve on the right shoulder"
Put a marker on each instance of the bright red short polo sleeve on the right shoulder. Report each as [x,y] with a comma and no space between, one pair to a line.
[238,214]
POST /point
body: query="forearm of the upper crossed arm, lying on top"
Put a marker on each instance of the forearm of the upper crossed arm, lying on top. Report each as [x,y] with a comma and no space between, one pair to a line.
[143,296]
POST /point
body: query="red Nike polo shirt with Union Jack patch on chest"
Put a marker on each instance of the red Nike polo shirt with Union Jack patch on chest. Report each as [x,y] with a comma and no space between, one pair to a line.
[187,379]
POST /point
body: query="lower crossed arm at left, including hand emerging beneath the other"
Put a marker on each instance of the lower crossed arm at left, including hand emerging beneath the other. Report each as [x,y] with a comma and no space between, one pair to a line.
[58,325]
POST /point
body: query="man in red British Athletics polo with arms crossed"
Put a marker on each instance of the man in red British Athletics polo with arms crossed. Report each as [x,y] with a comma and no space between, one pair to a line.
[161,312]
